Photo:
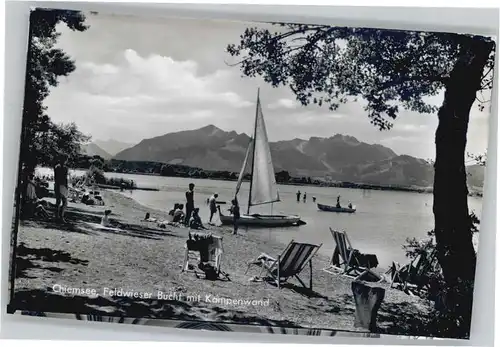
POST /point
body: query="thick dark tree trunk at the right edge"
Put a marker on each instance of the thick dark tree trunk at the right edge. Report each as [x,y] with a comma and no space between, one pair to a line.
[452,222]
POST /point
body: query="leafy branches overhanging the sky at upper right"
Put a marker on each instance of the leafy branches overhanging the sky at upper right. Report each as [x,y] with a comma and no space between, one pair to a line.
[388,69]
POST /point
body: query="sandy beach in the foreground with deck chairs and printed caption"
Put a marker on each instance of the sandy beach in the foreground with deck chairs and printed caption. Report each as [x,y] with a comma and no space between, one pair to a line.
[107,267]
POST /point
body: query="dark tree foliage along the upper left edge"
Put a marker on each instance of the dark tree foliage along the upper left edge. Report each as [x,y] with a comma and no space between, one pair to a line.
[45,64]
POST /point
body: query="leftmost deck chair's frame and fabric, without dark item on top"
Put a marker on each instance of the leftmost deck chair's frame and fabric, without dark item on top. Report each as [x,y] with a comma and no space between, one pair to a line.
[213,253]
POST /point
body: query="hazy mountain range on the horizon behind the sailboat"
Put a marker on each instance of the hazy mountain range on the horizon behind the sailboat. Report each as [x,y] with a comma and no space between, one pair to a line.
[339,158]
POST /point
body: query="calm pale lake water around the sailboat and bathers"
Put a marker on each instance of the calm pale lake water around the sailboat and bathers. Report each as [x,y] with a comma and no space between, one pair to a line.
[381,224]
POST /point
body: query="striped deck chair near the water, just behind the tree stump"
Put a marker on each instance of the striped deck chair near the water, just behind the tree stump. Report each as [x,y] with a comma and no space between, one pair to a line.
[344,261]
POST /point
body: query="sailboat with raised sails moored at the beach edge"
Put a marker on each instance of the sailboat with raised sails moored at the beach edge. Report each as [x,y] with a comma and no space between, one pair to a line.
[263,187]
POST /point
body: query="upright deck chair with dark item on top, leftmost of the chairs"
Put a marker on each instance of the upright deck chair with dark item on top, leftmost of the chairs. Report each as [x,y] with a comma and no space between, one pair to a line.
[203,251]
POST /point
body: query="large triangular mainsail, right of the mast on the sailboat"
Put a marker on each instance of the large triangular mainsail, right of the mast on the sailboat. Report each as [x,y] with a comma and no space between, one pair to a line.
[263,185]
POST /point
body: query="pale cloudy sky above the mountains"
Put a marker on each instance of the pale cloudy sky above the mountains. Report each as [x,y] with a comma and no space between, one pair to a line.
[139,77]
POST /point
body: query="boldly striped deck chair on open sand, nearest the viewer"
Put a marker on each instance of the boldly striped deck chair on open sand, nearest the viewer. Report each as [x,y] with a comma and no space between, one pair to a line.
[288,264]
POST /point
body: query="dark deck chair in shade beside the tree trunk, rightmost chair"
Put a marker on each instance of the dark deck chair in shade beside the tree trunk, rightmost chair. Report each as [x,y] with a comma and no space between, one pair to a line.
[413,275]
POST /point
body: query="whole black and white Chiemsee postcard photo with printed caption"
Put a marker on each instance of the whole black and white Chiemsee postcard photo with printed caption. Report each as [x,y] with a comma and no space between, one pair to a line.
[245,176]
